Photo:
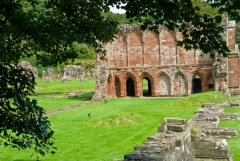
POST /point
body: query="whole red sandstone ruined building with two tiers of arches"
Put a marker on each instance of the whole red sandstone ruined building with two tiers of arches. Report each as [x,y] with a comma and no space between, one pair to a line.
[169,70]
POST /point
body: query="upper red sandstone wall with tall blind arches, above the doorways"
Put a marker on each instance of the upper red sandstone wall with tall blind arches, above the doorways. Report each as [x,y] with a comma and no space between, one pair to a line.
[138,49]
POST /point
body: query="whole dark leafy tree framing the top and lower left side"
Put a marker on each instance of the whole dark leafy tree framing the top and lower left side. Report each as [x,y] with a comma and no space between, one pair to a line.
[48,29]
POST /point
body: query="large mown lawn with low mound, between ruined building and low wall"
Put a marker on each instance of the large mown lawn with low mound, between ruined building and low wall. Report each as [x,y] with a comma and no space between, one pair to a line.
[116,126]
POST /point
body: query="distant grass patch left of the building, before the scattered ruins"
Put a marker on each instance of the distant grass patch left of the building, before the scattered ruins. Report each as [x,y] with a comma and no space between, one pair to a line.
[54,95]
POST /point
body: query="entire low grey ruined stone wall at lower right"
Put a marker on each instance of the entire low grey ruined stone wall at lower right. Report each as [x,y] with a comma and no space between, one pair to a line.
[198,139]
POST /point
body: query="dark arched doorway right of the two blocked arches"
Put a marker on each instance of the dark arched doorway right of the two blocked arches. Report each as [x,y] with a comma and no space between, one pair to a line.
[197,82]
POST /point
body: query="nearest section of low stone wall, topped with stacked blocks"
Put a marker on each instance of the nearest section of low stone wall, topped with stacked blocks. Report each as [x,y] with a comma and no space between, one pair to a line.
[171,143]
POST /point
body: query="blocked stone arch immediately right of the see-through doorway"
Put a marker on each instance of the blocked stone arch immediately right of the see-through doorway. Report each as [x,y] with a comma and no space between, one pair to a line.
[164,84]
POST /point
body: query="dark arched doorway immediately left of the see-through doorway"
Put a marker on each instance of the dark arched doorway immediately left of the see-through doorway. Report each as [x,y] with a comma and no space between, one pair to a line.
[131,84]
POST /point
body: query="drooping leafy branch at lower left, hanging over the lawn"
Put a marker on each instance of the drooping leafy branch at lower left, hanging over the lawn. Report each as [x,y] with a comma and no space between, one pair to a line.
[23,123]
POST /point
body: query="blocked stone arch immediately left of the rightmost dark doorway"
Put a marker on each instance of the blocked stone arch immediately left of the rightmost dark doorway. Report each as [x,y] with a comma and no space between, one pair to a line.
[180,84]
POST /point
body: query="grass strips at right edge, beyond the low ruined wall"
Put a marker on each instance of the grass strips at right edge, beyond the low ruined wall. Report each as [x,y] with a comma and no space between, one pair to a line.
[233,143]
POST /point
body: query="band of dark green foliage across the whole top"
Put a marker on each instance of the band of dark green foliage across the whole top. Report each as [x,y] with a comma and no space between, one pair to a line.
[49,28]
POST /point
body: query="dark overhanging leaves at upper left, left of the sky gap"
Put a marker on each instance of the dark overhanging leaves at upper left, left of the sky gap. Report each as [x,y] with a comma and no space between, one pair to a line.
[48,28]
